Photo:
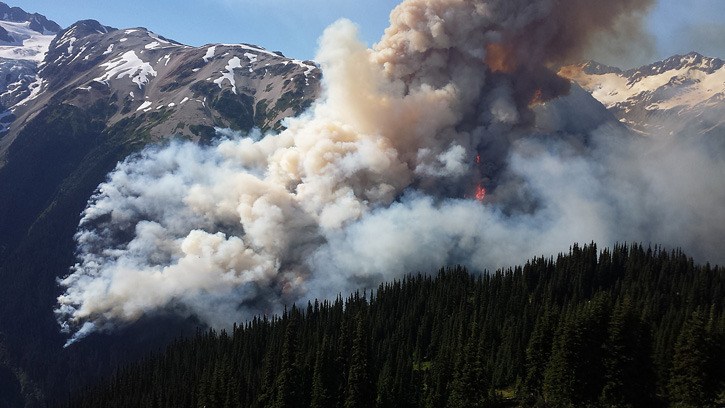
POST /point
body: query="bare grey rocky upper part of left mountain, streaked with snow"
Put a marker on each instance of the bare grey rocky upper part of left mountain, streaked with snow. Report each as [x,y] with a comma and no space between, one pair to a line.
[130,74]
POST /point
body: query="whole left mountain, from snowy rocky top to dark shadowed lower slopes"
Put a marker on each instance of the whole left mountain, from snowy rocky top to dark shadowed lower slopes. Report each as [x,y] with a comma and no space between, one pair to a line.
[73,103]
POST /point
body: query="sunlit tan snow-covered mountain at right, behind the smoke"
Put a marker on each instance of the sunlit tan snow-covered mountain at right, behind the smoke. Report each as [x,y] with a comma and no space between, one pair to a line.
[681,92]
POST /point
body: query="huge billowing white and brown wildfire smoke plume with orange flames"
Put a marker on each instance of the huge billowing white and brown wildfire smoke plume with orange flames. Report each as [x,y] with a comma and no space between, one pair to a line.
[451,141]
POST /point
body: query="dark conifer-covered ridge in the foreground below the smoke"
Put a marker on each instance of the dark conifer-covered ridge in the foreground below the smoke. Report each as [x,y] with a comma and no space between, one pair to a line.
[627,326]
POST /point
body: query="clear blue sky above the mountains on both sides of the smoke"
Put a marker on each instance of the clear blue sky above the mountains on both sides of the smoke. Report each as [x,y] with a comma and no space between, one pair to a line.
[293,26]
